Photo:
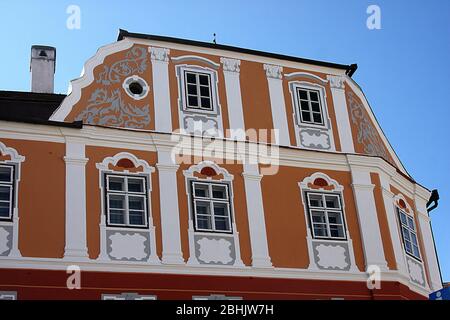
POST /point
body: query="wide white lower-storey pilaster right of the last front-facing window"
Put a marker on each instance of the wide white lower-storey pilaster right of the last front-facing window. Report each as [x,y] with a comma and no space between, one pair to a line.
[367,216]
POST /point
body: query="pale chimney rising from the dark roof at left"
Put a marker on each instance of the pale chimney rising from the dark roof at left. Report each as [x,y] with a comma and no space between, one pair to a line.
[42,68]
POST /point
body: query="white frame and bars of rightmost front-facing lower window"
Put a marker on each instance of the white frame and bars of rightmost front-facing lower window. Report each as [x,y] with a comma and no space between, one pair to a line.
[326,210]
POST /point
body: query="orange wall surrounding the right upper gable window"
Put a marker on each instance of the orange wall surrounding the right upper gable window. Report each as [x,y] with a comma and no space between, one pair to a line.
[290,108]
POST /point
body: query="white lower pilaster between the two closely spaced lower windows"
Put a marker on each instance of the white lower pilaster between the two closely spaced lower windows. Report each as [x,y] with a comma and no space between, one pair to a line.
[170,214]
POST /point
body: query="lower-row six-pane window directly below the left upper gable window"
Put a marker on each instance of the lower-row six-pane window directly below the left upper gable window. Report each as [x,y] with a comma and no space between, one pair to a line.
[211,206]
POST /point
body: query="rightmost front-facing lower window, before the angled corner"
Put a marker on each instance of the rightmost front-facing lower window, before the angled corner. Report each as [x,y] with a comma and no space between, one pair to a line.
[326,216]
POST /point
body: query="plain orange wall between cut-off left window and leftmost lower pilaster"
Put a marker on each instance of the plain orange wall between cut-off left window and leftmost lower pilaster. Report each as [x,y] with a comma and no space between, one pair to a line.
[42,222]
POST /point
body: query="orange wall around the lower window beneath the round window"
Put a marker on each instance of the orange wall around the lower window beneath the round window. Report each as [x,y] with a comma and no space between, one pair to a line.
[93,195]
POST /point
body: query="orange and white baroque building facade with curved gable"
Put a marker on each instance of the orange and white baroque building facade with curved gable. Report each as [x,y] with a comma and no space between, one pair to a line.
[177,169]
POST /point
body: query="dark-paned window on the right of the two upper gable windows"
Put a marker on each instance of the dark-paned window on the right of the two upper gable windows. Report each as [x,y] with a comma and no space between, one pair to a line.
[310,108]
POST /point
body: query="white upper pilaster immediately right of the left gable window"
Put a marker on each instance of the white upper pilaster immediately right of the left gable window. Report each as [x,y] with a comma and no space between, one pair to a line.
[231,71]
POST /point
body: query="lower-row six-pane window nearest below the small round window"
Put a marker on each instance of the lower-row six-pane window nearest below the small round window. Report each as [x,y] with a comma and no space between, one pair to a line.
[126,198]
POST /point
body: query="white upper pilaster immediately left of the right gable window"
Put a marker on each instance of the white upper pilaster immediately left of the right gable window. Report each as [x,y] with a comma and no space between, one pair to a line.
[274,78]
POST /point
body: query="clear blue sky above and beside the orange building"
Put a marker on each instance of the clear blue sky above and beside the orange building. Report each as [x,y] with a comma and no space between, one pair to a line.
[404,68]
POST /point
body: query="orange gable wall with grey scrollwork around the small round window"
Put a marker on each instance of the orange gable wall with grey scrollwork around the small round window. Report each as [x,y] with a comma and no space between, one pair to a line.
[87,93]
